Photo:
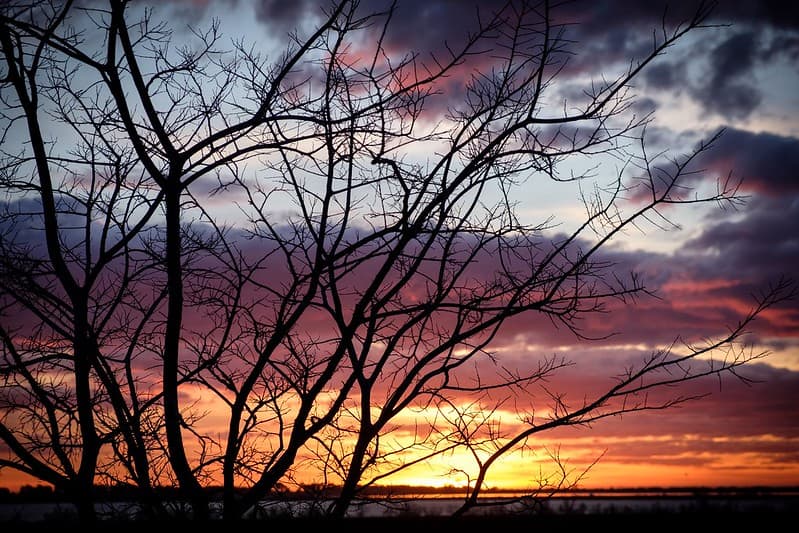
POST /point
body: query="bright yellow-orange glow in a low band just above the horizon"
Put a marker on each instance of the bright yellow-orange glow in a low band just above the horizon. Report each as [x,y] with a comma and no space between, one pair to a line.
[527,471]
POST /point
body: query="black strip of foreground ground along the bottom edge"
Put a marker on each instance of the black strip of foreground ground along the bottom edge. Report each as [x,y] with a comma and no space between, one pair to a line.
[617,522]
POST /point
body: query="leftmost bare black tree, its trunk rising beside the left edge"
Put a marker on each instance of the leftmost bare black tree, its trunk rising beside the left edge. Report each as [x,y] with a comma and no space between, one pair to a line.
[70,269]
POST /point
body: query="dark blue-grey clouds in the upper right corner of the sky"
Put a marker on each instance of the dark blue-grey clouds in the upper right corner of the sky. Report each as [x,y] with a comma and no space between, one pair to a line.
[726,82]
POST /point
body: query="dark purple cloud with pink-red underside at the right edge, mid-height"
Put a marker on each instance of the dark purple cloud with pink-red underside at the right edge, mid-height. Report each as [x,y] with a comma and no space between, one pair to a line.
[715,277]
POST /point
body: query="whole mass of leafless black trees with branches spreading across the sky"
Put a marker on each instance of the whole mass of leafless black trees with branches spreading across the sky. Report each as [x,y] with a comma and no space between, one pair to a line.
[353,291]
